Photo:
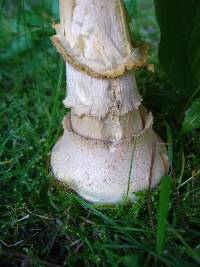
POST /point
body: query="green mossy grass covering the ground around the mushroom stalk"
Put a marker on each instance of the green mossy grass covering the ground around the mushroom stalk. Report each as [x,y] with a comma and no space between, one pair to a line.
[41,224]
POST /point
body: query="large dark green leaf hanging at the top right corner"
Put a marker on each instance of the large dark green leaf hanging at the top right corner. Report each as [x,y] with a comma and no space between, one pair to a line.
[179,50]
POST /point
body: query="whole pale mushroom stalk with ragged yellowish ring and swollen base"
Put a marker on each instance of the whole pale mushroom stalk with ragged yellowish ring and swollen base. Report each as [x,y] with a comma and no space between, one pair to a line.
[109,150]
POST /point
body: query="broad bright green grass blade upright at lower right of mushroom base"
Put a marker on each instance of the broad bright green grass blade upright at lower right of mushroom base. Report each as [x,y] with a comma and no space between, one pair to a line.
[163,213]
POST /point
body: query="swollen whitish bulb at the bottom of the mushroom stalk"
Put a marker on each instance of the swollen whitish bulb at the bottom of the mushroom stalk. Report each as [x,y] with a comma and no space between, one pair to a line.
[108,173]
